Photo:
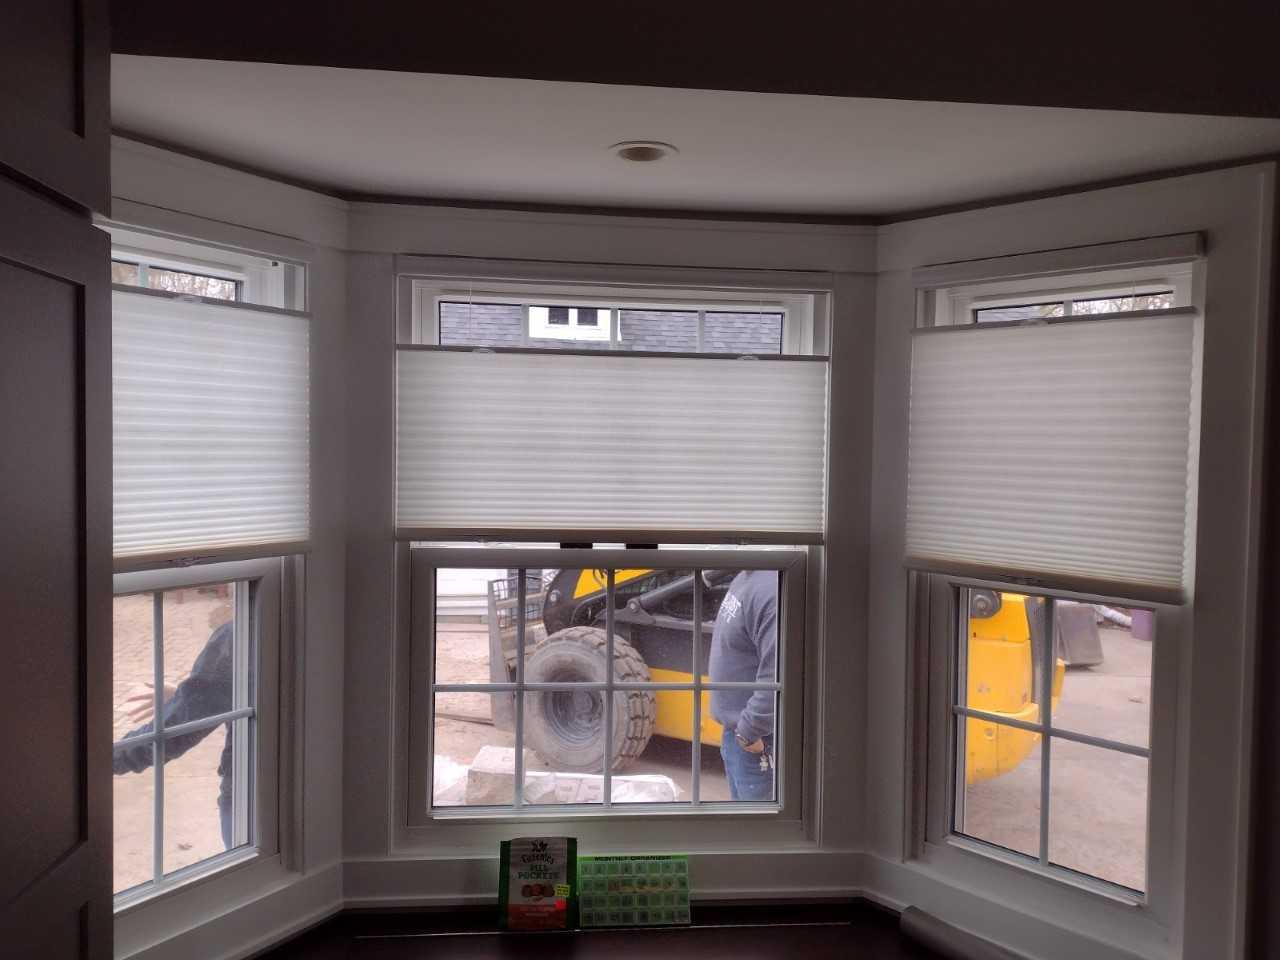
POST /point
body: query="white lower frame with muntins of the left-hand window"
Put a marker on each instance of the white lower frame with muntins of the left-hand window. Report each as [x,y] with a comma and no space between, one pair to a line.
[264,634]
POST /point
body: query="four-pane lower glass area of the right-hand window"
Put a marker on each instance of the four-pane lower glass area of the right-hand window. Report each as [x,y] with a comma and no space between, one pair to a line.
[1052,735]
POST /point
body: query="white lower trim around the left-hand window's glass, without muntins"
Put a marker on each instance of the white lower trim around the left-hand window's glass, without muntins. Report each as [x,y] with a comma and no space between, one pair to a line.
[267,610]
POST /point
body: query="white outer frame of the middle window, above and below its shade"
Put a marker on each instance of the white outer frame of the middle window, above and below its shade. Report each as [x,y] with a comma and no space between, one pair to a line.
[422,282]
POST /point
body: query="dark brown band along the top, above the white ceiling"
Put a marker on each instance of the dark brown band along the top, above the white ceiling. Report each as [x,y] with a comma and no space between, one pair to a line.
[1210,58]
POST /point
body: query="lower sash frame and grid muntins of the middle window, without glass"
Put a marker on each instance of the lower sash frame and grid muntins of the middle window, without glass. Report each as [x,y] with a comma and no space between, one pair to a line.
[423,564]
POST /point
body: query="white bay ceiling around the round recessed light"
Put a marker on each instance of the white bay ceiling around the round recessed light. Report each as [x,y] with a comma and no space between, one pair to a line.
[547,143]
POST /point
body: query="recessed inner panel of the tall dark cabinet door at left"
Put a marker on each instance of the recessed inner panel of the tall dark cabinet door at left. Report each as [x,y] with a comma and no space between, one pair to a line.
[44,565]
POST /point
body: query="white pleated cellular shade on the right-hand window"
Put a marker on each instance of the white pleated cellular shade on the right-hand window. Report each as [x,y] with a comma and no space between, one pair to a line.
[1059,451]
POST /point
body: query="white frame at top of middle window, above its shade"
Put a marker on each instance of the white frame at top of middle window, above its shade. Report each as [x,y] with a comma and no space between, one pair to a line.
[801,333]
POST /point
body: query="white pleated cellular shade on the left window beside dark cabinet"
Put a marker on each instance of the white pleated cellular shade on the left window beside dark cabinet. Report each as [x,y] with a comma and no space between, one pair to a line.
[211,419]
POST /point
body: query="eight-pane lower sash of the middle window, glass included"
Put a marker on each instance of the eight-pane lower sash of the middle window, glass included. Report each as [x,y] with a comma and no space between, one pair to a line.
[523,698]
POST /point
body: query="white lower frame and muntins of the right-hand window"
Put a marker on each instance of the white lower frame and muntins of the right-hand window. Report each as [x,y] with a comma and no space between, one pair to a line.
[938,772]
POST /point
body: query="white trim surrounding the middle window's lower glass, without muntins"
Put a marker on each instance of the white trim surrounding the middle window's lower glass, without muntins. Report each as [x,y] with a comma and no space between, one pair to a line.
[708,826]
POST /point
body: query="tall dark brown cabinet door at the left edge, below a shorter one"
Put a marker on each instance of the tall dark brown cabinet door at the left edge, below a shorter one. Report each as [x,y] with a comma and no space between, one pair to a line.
[54,582]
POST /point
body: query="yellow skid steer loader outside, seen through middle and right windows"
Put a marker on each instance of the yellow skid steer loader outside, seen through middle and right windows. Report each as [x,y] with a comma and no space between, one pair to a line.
[653,630]
